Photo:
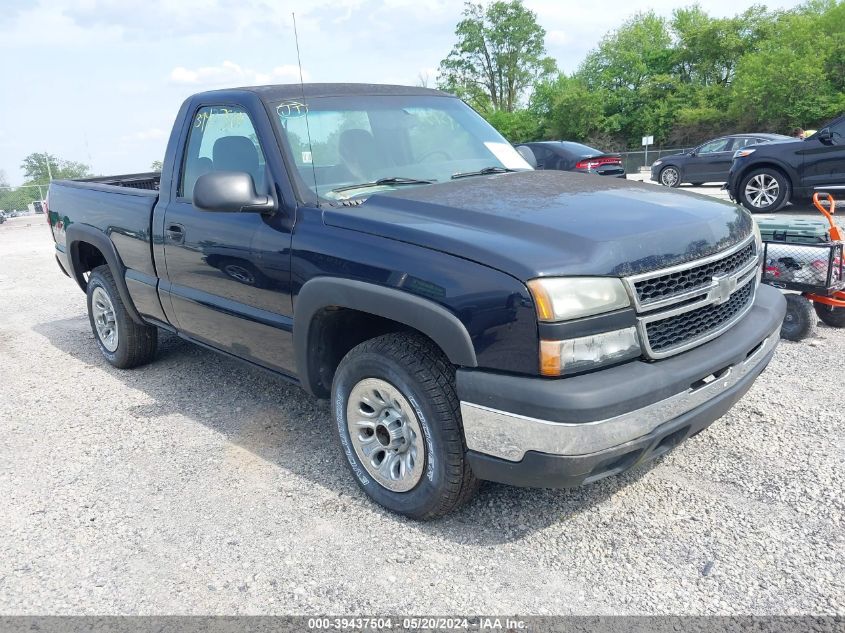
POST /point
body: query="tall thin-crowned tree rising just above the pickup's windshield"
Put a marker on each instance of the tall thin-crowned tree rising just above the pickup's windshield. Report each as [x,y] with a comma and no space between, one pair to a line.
[499,55]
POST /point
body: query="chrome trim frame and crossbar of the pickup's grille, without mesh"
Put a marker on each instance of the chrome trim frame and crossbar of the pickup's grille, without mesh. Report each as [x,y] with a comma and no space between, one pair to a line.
[721,289]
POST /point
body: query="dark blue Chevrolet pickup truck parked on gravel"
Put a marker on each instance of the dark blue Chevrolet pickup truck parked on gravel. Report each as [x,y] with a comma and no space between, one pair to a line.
[468,317]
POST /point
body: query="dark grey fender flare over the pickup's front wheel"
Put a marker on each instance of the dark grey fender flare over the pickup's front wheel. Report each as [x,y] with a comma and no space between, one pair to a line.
[423,315]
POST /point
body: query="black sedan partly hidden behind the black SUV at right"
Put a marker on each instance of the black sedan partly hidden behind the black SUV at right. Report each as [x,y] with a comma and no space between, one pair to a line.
[709,162]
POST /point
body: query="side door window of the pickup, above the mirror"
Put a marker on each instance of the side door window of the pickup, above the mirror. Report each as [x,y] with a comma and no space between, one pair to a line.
[222,138]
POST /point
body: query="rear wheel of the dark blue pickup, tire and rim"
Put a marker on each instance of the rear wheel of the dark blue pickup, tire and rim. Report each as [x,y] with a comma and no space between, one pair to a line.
[124,343]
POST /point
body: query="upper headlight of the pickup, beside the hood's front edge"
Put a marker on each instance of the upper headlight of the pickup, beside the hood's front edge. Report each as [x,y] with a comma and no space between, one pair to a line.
[563,298]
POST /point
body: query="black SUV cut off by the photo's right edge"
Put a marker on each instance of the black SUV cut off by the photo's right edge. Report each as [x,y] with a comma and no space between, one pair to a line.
[763,178]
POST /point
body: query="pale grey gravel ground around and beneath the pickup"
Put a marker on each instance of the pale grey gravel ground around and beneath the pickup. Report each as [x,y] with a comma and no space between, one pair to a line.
[195,485]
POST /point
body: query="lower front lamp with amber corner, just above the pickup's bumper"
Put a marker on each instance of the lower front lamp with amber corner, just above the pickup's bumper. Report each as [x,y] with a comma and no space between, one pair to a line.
[588,352]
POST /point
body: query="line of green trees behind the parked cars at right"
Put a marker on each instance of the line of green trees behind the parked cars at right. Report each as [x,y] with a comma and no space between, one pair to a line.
[682,79]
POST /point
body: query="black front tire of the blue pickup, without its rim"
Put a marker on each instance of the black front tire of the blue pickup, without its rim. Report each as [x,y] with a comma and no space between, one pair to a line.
[421,373]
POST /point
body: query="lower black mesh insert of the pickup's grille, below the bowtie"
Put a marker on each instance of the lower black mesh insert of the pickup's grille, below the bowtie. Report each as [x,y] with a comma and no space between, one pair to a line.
[674,331]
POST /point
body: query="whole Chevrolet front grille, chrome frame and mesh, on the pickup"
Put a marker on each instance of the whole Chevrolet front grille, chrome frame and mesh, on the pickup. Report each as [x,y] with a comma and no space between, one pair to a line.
[684,306]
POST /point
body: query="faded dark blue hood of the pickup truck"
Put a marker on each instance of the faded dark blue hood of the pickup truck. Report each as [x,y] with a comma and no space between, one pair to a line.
[538,223]
